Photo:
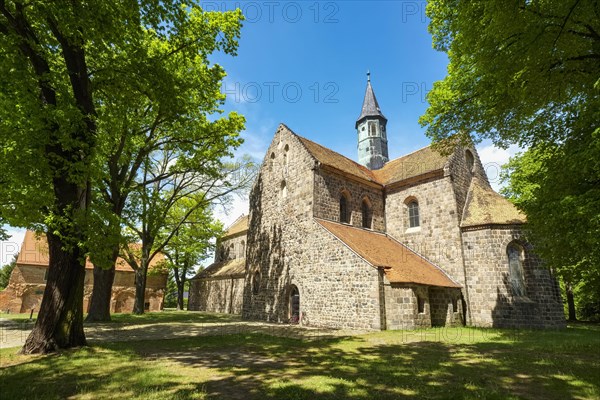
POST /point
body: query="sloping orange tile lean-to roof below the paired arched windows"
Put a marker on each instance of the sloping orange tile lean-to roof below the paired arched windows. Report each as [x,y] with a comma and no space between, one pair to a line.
[401,264]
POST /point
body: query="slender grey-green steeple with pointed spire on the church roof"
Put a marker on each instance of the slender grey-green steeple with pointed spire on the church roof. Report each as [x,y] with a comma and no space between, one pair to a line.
[370,126]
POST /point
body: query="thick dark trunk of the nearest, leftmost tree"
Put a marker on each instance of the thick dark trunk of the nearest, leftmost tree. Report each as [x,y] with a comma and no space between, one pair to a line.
[60,320]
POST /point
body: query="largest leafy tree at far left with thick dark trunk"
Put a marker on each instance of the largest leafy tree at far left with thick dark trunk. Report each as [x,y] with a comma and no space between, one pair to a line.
[65,67]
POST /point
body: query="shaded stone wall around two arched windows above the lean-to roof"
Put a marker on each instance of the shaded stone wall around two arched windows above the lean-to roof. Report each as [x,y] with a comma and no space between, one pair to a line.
[327,191]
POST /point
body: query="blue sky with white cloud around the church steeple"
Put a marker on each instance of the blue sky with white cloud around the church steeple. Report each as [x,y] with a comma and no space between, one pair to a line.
[304,63]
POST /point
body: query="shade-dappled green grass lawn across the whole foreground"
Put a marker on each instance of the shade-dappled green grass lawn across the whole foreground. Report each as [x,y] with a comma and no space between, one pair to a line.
[450,363]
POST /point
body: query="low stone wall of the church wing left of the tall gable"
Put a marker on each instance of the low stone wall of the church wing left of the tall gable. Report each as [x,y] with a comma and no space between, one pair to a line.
[217,295]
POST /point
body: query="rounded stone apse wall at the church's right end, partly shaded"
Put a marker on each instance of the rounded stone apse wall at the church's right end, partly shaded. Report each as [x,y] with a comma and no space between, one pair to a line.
[492,302]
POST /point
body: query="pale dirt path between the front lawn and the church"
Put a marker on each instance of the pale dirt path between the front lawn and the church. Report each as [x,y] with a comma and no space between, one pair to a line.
[13,334]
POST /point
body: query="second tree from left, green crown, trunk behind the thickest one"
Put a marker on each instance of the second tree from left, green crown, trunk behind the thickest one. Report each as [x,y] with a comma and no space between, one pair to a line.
[166,101]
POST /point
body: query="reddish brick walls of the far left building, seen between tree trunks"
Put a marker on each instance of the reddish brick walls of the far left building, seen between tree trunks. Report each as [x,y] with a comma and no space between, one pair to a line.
[26,288]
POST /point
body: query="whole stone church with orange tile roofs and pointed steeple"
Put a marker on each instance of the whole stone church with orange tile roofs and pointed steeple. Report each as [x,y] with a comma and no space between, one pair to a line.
[418,241]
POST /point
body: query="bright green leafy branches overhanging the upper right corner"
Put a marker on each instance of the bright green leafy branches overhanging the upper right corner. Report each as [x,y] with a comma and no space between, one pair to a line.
[519,72]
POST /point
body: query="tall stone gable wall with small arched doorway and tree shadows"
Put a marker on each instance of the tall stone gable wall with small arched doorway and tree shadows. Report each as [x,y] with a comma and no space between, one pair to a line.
[287,247]
